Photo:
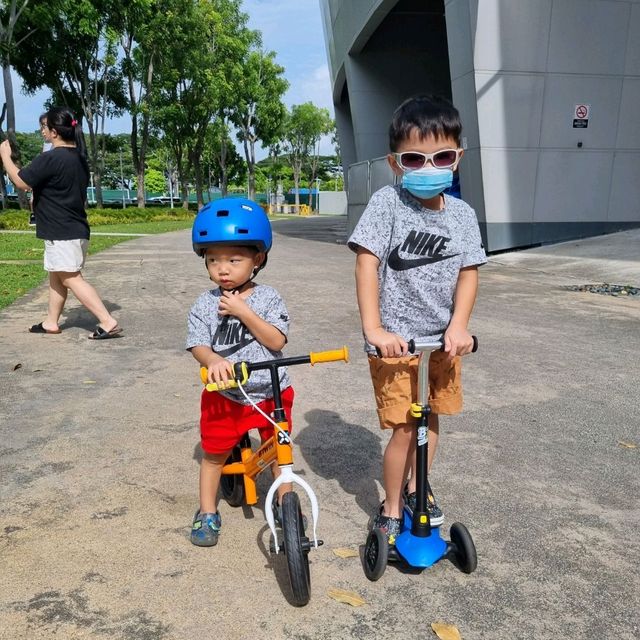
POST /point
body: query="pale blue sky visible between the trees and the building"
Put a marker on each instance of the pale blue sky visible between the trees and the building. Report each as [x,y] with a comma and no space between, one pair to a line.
[291,28]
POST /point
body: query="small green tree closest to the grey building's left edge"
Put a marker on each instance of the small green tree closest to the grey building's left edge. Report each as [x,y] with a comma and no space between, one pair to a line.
[304,127]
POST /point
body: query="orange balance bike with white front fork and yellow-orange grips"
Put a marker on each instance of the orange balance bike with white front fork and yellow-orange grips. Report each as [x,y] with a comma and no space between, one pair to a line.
[238,482]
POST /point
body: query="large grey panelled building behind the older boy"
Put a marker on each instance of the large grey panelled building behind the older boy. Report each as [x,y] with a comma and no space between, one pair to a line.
[548,91]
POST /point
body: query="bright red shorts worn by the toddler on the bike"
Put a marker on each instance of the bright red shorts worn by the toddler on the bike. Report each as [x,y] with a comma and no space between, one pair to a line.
[223,422]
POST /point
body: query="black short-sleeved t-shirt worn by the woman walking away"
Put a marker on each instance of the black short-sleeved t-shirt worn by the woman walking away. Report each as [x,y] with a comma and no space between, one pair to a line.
[59,179]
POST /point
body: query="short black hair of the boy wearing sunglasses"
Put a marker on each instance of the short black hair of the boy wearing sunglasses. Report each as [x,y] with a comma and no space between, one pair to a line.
[430,115]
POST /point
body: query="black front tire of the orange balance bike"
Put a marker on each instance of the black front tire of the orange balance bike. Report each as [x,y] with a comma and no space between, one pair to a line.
[294,542]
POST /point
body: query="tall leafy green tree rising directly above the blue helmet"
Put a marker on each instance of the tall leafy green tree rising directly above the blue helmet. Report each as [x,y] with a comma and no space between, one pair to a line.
[258,111]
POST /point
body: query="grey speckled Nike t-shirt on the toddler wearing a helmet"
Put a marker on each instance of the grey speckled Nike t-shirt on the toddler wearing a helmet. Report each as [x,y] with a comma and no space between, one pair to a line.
[229,338]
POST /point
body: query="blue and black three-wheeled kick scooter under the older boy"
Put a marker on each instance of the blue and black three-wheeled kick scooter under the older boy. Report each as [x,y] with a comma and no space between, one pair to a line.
[419,544]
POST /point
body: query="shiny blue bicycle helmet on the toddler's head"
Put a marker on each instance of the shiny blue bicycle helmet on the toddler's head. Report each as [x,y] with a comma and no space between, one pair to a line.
[235,221]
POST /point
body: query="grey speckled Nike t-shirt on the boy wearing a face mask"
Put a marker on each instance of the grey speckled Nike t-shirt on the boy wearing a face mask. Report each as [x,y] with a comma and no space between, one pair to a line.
[421,253]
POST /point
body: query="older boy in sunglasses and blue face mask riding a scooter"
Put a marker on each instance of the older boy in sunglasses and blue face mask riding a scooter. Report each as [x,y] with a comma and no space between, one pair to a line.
[418,252]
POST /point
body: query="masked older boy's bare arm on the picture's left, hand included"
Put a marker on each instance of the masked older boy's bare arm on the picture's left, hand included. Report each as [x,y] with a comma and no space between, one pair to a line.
[389,344]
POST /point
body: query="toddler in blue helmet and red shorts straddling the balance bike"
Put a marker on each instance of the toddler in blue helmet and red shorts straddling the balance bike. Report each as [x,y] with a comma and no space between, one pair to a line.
[238,320]
